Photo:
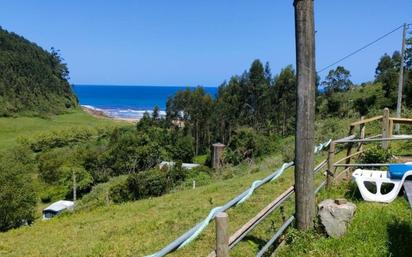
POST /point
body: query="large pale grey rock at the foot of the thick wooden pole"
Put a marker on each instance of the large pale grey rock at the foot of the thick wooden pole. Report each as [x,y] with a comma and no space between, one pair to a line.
[335,215]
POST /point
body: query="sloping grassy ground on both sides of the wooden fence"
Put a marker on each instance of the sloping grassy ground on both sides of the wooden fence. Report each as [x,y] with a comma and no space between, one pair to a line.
[142,227]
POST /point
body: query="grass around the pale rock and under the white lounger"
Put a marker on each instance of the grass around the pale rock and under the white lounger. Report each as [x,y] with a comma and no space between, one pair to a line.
[376,230]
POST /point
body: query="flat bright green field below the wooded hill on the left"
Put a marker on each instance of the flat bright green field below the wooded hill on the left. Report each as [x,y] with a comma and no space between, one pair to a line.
[13,128]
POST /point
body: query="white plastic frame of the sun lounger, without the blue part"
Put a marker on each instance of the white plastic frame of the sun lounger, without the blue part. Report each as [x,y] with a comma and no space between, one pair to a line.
[379,178]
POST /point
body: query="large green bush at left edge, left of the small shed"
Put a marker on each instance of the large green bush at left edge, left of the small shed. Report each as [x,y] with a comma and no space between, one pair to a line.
[17,196]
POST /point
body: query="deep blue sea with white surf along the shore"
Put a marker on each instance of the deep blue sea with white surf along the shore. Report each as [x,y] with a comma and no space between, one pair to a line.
[128,102]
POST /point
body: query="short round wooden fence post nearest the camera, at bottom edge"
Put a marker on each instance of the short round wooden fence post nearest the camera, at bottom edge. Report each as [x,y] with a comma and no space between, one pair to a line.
[222,235]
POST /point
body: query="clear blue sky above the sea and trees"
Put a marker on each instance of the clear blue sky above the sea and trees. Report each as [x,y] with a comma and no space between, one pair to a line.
[189,43]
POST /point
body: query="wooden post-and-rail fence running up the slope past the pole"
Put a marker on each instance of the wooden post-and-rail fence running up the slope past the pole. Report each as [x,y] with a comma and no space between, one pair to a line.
[356,137]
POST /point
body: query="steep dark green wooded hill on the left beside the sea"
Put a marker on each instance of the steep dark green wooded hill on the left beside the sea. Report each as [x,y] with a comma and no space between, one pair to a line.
[33,81]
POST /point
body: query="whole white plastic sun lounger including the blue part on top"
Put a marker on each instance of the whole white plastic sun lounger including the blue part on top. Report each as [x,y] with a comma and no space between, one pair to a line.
[395,175]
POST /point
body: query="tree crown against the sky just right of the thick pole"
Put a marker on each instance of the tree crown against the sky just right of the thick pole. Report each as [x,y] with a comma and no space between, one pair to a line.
[337,80]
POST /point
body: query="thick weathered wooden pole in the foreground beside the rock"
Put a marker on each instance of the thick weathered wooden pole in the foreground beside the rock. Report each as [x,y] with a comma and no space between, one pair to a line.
[305,113]
